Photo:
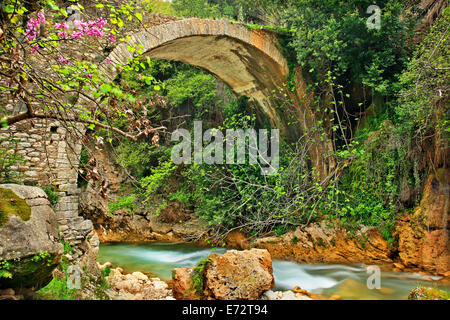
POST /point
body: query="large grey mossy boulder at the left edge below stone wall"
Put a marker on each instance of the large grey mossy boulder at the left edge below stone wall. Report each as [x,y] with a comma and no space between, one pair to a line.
[30,248]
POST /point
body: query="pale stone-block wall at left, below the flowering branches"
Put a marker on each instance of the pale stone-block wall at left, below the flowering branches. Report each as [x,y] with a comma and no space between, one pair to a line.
[50,159]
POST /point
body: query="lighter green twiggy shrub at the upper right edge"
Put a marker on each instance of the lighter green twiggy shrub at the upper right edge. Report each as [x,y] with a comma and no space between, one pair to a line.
[422,85]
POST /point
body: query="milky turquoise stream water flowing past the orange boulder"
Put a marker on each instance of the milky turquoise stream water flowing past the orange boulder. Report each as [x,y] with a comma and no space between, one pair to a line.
[347,281]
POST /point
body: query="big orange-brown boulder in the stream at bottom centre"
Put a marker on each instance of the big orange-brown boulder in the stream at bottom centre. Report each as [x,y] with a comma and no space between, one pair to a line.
[238,275]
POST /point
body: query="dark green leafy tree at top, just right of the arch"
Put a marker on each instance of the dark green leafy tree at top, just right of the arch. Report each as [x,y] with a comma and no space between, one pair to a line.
[331,36]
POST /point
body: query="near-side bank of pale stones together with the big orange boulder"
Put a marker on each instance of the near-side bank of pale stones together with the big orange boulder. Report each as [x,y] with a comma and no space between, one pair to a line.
[235,275]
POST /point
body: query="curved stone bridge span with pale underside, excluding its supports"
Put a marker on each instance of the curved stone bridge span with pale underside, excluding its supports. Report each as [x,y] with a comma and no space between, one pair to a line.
[248,61]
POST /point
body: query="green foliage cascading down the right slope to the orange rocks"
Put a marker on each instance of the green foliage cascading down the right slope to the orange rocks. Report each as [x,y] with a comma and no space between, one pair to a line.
[388,160]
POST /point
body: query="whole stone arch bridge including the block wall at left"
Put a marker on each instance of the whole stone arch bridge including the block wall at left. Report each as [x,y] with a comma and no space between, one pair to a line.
[247,60]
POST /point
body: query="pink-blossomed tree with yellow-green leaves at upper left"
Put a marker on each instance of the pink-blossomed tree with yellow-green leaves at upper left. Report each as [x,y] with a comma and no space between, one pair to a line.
[49,61]
